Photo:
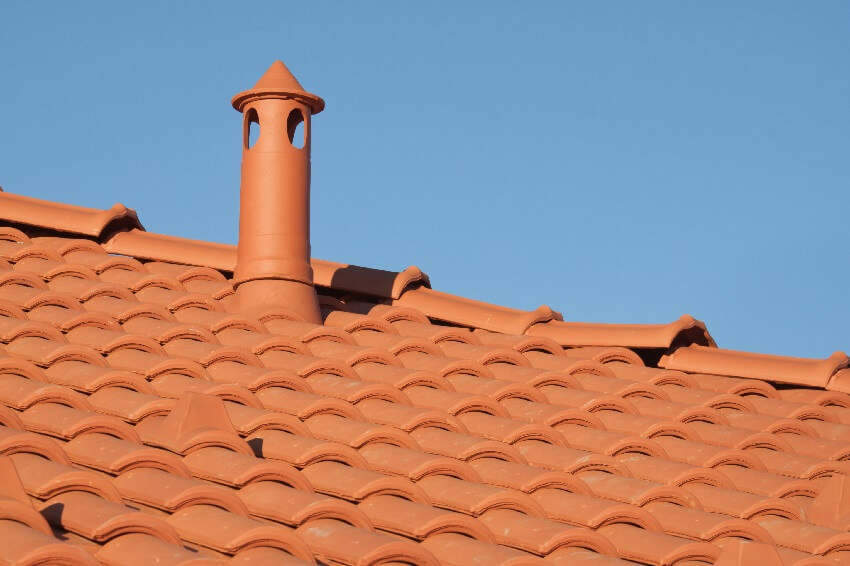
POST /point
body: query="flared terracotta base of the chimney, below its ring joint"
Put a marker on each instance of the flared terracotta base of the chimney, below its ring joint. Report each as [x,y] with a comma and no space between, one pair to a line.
[263,294]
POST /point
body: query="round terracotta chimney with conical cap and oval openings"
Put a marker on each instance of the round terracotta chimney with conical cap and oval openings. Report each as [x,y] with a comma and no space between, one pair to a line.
[273,257]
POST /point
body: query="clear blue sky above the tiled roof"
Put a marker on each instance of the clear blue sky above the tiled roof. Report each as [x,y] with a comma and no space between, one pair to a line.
[620,162]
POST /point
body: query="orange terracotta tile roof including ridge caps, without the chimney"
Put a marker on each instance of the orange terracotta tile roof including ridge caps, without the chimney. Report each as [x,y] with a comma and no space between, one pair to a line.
[144,417]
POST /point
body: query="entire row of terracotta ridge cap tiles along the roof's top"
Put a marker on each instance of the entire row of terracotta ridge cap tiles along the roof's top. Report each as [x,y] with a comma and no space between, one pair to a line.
[688,344]
